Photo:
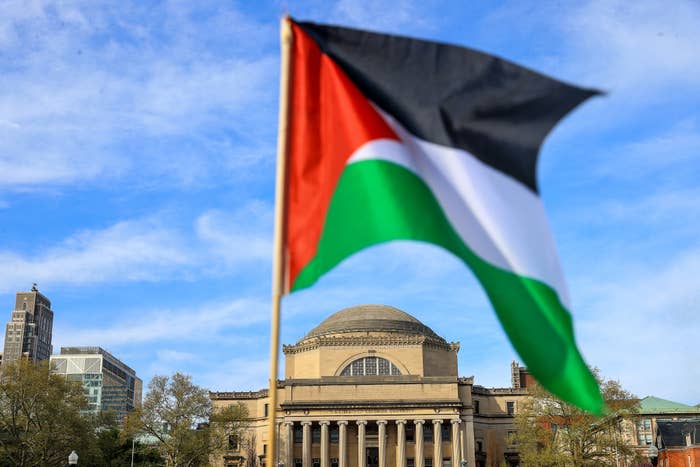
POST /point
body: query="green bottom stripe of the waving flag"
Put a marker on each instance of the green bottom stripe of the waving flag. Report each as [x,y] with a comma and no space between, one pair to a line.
[378,201]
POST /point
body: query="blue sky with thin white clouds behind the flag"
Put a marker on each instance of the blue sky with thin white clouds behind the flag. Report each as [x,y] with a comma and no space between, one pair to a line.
[137,147]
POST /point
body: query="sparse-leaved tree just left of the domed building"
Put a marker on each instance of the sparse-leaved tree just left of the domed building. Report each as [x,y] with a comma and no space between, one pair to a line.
[179,415]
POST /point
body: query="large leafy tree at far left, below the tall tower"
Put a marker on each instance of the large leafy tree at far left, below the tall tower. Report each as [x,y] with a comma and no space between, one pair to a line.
[40,421]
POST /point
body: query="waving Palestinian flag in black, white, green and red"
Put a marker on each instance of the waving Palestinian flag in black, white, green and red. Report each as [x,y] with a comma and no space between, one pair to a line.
[398,138]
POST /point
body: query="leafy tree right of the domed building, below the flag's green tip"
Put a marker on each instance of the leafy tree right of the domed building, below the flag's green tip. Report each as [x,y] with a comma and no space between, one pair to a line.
[552,432]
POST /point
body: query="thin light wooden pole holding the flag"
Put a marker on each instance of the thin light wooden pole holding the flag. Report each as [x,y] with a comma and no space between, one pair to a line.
[278,248]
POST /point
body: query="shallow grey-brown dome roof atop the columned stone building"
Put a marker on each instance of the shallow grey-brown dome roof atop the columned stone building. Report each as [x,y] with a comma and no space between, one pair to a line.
[371,318]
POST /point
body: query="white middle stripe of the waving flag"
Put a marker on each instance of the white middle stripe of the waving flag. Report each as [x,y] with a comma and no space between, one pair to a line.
[498,218]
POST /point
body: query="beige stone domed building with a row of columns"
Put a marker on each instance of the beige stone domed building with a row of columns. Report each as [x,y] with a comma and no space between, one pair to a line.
[372,386]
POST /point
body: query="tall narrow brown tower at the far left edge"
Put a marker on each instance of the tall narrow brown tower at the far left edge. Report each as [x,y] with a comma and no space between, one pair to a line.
[28,333]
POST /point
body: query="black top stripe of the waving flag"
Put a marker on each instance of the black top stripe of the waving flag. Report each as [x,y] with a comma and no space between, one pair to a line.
[454,96]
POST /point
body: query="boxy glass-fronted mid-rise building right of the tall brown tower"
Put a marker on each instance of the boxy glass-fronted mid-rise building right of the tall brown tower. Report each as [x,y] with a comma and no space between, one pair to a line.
[110,385]
